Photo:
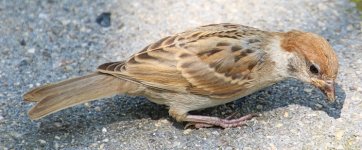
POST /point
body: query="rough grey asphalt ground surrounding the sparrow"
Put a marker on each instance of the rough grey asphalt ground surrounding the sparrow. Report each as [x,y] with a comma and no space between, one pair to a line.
[43,41]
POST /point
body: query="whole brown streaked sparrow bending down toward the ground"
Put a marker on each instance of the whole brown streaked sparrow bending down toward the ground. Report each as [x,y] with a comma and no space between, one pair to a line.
[200,68]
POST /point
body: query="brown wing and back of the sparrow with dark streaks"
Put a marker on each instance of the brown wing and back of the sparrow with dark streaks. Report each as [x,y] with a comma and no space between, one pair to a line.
[216,61]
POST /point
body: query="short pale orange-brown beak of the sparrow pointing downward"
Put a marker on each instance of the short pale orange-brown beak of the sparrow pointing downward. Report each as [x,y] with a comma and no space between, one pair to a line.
[327,87]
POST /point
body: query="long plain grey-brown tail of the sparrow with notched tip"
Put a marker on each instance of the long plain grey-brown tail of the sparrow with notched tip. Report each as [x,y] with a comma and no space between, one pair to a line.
[57,96]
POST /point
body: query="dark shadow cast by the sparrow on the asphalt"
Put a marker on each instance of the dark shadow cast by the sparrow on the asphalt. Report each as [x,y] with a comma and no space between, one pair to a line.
[125,108]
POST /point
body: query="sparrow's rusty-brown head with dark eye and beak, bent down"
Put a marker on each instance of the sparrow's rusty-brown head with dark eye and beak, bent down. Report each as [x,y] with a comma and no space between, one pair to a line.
[315,62]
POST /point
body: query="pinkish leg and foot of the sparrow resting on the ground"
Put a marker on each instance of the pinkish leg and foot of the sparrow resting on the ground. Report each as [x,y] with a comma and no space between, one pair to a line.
[205,121]
